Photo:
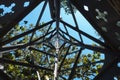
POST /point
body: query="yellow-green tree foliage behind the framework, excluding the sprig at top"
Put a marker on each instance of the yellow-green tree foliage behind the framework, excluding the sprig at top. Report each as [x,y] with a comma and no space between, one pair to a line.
[34,57]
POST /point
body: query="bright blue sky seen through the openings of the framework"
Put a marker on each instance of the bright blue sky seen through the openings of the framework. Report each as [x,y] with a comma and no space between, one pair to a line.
[84,25]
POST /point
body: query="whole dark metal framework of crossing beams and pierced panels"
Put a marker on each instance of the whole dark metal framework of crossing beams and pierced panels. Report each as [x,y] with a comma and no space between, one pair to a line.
[104,15]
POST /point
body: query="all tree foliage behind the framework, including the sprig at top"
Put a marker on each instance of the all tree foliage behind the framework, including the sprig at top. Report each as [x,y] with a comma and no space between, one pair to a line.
[34,55]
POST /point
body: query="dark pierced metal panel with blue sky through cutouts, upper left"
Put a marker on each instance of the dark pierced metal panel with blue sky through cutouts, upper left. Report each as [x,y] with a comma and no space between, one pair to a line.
[12,11]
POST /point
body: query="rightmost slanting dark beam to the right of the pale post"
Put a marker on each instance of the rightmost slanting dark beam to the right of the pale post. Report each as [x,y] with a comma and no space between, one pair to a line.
[74,66]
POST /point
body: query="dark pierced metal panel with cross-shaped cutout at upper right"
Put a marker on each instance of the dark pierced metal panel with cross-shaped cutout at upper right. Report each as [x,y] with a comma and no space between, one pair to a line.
[104,19]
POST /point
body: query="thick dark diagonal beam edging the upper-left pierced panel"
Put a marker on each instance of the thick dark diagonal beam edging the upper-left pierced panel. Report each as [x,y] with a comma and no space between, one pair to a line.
[8,27]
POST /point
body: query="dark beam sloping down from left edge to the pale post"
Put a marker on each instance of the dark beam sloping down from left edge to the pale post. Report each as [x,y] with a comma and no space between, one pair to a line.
[23,64]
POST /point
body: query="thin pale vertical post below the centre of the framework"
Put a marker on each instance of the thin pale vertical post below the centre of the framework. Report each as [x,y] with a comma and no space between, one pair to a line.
[56,59]
